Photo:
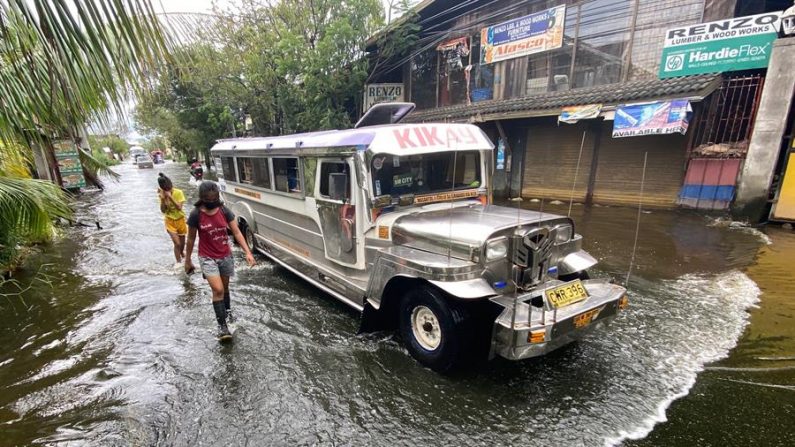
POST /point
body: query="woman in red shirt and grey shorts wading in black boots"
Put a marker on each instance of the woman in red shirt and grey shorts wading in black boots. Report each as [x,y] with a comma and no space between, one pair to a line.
[210,220]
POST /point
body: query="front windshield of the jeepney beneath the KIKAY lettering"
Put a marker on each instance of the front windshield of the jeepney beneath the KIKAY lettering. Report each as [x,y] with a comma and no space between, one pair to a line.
[425,173]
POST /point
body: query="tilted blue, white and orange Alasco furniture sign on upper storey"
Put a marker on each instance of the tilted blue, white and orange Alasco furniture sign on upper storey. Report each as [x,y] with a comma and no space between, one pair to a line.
[522,36]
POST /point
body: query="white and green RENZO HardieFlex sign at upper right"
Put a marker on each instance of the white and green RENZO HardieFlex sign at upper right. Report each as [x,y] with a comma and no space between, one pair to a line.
[740,43]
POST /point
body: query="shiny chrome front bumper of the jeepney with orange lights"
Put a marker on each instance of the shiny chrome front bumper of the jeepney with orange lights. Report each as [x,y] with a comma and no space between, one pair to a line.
[536,331]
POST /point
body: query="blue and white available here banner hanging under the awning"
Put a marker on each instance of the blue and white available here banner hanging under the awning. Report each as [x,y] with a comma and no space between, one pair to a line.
[652,118]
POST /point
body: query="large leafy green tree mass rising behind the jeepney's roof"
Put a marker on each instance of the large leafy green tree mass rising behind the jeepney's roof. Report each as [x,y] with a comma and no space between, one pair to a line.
[289,65]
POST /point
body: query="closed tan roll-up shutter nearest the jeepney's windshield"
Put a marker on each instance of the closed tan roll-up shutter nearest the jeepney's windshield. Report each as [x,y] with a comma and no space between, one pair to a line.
[550,161]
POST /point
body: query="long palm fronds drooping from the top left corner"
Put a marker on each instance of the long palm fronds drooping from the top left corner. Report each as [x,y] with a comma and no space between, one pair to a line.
[62,65]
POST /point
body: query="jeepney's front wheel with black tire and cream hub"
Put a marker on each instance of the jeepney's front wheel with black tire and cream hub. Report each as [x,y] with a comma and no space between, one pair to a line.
[449,319]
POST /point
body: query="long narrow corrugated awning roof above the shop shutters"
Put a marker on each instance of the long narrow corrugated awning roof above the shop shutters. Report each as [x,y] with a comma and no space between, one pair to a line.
[694,88]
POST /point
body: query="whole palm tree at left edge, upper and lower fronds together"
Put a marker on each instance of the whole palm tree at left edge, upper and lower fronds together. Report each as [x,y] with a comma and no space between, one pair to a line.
[62,64]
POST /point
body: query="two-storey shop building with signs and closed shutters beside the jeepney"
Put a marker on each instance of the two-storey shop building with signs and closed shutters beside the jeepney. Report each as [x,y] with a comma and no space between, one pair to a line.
[523,70]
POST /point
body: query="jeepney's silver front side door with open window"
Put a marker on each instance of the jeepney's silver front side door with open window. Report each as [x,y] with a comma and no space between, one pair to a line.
[337,210]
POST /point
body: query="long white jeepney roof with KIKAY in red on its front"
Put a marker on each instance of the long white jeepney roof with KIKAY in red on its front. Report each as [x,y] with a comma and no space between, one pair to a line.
[394,139]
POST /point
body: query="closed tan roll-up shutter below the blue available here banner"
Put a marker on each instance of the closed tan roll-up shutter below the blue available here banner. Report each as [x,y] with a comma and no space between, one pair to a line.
[620,168]
